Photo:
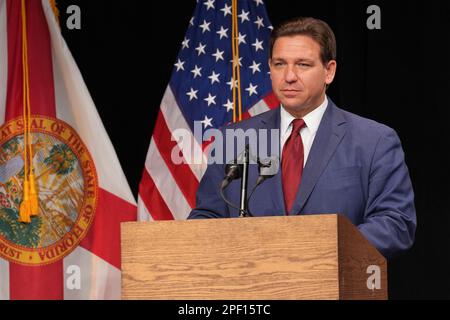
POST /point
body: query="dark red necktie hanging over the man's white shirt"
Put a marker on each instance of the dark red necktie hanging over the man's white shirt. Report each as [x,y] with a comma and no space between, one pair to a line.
[292,164]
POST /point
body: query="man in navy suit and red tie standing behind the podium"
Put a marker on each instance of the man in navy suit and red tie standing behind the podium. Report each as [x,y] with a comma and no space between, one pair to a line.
[332,161]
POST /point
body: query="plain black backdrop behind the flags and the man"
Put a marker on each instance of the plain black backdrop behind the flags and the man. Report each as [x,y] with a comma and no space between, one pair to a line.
[398,75]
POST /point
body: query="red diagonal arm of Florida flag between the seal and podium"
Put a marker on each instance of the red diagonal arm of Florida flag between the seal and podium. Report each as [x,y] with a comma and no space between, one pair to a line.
[103,238]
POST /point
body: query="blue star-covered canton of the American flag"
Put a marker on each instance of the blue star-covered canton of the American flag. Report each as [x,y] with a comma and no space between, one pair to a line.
[202,75]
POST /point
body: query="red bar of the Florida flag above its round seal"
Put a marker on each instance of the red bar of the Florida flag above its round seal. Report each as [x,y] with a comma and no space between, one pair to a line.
[42,92]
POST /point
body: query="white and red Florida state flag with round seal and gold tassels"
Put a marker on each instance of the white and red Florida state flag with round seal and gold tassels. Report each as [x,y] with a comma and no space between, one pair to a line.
[63,193]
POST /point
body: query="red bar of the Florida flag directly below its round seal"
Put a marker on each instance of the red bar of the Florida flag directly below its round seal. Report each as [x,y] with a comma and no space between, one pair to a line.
[36,283]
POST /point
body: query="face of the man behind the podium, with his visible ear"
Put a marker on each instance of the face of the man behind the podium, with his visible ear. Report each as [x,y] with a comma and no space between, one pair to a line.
[298,76]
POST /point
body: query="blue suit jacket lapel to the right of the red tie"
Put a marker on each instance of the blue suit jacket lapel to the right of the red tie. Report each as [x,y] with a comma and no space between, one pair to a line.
[331,130]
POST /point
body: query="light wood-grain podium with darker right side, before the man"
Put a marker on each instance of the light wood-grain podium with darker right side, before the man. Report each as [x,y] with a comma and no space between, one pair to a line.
[263,258]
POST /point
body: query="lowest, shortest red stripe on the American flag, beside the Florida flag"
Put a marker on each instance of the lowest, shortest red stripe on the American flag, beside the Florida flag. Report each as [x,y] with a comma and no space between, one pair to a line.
[152,198]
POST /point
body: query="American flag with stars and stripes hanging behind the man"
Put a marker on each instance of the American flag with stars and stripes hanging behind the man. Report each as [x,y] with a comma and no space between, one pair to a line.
[200,89]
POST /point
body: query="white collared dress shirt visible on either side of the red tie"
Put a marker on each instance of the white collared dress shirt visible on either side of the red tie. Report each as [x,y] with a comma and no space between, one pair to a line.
[308,132]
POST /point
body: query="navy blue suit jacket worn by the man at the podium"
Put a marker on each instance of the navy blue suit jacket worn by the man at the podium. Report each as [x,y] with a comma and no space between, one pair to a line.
[355,167]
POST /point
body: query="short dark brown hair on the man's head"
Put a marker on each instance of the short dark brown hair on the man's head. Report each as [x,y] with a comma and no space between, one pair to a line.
[316,29]
